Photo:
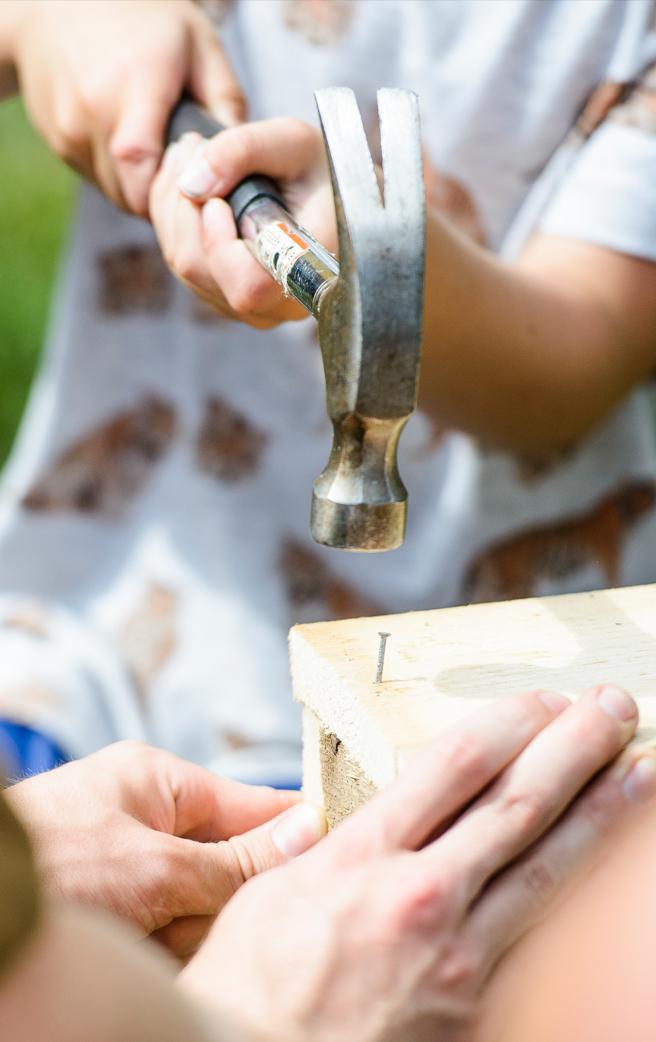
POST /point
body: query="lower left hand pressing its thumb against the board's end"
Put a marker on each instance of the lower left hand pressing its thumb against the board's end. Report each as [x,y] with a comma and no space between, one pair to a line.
[161,843]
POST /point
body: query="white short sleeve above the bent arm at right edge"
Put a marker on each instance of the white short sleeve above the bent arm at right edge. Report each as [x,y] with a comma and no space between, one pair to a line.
[609,196]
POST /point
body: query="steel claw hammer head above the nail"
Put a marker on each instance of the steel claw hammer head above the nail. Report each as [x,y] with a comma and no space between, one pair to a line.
[370,320]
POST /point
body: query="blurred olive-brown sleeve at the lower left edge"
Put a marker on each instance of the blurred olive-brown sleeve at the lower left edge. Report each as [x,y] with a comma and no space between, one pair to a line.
[19,890]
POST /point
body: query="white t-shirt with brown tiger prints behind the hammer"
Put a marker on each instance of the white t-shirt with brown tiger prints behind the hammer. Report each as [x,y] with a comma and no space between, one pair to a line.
[155,543]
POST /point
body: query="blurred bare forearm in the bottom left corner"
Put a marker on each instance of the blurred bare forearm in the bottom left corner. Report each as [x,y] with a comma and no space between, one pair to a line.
[81,979]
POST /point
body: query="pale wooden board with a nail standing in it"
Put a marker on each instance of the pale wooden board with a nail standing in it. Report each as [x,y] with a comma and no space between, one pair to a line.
[442,665]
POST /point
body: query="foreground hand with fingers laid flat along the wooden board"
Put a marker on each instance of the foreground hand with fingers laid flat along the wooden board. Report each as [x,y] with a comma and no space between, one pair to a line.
[418,925]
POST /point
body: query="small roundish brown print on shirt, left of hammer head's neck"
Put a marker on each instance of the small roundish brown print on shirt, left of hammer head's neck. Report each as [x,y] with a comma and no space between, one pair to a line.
[230,445]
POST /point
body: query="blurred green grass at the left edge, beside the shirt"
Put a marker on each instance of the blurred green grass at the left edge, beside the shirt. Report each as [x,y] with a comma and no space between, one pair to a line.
[37,195]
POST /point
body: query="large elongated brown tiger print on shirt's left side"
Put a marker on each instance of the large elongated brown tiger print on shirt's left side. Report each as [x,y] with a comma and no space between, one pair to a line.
[103,472]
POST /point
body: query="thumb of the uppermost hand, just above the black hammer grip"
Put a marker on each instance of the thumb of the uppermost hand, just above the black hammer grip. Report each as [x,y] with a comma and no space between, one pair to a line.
[213,81]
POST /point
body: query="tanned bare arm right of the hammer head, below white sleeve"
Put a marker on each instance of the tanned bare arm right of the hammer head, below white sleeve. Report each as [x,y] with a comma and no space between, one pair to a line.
[529,357]
